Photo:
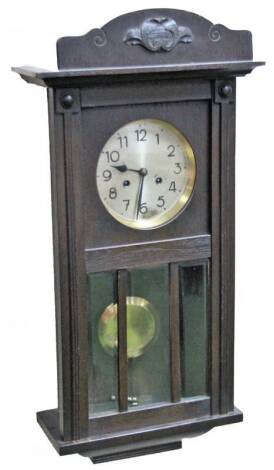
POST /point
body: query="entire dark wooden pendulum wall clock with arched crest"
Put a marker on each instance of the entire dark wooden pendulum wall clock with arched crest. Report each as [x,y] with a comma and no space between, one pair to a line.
[142,133]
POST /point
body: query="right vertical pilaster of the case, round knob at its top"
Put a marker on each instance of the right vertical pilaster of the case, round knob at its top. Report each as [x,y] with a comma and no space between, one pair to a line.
[223,116]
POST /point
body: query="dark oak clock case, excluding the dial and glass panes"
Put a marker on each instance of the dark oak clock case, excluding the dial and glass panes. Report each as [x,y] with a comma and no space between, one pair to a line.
[178,67]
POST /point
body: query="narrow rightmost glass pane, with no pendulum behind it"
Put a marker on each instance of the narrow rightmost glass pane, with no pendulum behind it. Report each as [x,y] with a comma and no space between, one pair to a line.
[194,331]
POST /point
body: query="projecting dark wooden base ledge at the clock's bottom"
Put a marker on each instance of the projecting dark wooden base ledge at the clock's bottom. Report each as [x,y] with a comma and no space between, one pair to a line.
[133,443]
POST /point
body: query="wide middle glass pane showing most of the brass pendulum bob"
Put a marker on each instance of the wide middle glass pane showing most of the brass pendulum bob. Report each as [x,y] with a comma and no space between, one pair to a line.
[148,336]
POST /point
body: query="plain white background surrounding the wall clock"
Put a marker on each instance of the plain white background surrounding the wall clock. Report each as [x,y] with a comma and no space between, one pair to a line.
[28,32]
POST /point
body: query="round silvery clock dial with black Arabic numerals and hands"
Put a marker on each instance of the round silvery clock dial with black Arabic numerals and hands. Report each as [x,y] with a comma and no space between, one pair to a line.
[146,173]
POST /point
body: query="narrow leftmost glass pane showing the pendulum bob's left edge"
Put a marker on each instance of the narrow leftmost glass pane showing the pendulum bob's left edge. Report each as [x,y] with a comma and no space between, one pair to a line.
[102,359]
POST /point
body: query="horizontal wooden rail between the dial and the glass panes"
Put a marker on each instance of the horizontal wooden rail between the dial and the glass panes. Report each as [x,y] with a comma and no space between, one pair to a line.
[144,254]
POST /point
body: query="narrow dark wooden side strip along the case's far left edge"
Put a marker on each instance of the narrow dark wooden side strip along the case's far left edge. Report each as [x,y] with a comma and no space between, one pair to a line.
[61,270]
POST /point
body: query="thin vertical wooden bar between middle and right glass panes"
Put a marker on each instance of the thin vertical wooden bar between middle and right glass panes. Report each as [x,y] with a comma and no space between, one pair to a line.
[175,356]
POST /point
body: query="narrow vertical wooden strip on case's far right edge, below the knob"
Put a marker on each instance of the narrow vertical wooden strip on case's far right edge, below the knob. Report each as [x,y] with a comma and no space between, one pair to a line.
[227,256]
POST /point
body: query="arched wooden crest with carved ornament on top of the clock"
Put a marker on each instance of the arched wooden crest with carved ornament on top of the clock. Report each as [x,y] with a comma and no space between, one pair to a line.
[111,45]
